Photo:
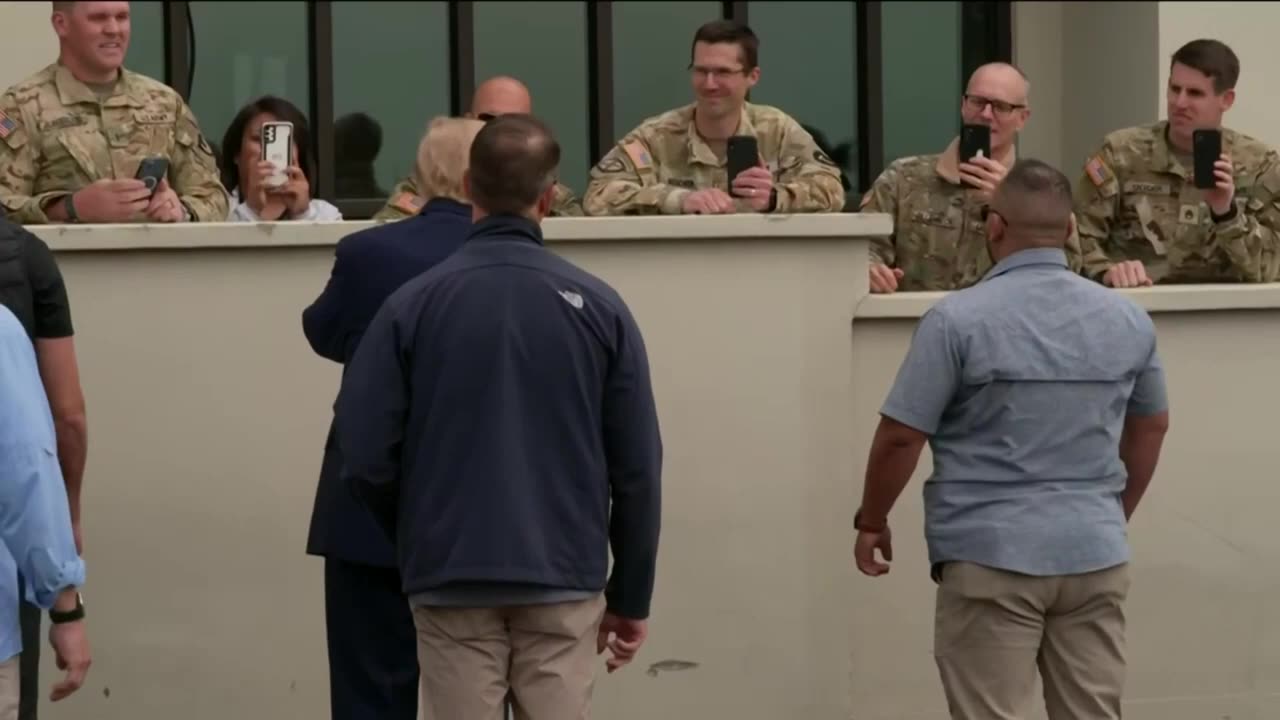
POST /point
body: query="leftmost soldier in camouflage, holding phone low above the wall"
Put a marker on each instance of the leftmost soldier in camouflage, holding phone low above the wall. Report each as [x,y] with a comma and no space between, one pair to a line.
[72,136]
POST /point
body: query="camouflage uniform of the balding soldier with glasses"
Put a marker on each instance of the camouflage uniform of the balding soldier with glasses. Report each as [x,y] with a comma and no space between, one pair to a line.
[940,238]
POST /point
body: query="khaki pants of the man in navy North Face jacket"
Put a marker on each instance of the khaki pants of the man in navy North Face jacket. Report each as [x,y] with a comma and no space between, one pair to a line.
[545,654]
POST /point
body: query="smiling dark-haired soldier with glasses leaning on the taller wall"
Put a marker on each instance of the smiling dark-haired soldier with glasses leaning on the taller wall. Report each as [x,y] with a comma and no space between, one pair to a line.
[675,163]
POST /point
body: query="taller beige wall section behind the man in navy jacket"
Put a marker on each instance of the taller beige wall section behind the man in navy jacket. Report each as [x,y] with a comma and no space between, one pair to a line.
[208,414]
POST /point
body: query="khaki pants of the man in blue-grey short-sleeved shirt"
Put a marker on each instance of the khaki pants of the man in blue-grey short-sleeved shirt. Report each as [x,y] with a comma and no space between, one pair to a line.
[993,631]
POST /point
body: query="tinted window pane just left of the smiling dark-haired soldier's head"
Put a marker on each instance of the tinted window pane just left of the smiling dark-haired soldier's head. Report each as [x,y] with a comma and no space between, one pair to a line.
[651,57]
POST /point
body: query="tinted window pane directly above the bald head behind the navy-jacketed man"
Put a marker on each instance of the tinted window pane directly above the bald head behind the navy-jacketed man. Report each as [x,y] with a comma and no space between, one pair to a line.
[545,47]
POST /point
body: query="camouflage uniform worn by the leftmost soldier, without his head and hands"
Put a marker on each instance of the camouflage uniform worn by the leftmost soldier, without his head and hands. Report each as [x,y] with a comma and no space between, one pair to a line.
[57,138]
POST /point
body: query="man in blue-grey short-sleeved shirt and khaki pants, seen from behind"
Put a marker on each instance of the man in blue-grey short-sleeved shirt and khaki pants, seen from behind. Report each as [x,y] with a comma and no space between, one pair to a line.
[1043,399]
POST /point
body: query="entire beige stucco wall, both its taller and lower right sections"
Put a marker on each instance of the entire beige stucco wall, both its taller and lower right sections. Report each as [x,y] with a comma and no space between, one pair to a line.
[208,414]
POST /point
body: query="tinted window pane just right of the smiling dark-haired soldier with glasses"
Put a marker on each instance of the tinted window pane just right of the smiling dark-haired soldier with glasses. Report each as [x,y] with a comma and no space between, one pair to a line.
[808,57]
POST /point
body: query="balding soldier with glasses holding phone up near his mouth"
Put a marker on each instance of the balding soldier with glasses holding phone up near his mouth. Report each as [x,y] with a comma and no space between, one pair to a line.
[938,202]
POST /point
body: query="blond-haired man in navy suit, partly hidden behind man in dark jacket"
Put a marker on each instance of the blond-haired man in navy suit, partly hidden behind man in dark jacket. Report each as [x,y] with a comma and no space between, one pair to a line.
[373,666]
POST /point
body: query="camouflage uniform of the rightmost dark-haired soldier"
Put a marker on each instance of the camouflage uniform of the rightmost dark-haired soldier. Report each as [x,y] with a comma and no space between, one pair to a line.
[1139,200]
